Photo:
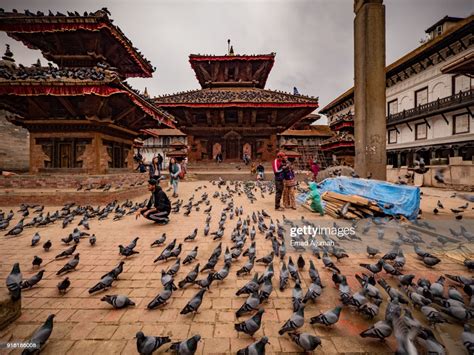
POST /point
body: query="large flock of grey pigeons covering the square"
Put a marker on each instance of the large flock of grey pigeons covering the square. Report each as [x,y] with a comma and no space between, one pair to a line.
[414,306]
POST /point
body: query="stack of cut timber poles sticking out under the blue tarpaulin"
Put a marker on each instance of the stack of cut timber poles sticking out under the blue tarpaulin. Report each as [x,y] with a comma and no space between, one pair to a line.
[349,206]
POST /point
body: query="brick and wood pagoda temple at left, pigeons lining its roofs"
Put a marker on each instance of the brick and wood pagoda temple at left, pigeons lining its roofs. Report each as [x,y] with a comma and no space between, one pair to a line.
[81,115]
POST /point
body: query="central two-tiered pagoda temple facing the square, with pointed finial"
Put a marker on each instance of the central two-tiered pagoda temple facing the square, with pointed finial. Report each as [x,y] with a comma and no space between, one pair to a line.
[233,113]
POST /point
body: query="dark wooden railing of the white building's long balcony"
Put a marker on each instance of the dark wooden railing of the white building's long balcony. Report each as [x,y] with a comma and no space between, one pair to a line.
[446,102]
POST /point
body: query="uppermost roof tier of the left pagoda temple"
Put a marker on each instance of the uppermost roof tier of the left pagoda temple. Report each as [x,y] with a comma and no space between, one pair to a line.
[76,40]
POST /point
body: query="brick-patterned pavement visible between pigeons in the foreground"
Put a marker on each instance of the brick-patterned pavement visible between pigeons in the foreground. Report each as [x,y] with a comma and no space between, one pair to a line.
[85,325]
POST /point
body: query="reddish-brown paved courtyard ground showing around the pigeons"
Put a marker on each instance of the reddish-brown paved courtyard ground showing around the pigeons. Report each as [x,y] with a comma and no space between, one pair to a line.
[84,324]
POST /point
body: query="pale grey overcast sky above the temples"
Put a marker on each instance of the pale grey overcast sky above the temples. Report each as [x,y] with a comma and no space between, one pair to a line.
[313,39]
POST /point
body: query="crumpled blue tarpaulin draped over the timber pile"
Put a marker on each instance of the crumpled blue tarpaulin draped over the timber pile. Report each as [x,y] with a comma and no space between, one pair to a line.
[391,198]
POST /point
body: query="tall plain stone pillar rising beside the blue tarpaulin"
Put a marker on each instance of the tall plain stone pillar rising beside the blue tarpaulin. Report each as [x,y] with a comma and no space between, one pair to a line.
[369,94]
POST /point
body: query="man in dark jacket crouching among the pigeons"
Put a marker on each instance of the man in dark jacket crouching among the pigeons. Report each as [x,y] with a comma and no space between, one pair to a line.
[158,207]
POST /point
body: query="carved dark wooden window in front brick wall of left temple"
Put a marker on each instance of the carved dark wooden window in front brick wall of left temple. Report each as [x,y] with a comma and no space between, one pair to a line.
[63,153]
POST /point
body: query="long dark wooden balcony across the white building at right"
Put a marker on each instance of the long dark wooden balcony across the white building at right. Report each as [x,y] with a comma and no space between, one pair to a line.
[460,100]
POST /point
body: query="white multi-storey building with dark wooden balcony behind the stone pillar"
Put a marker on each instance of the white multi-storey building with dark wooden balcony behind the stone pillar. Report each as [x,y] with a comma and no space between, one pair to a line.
[430,98]
